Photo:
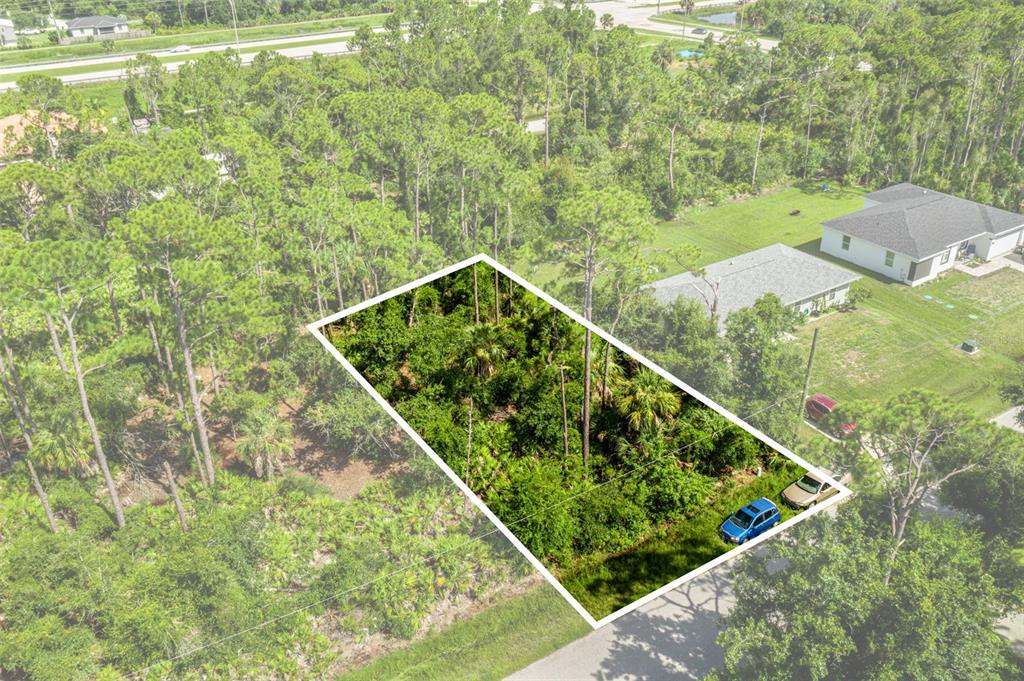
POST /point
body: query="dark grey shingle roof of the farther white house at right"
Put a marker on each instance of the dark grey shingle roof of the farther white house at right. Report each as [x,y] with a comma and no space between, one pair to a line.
[921,223]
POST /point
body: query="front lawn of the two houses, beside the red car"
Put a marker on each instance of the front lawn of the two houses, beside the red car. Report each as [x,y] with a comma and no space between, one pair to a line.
[901,339]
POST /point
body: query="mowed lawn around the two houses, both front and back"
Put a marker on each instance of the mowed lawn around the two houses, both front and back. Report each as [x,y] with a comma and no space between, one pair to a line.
[901,338]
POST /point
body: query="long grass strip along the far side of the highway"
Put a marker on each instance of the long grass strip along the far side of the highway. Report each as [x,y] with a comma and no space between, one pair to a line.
[195,38]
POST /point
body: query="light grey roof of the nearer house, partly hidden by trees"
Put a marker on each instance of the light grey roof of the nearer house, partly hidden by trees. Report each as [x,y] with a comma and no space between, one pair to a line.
[791,275]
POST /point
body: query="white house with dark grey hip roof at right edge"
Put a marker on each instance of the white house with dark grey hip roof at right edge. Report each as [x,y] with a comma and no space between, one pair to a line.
[912,235]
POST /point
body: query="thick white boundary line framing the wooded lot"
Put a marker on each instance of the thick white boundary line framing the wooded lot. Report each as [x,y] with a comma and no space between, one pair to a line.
[316,327]
